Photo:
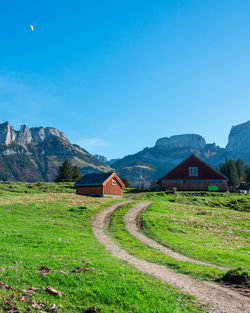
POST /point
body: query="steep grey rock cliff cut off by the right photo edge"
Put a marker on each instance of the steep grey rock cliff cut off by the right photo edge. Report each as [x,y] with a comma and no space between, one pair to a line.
[239,138]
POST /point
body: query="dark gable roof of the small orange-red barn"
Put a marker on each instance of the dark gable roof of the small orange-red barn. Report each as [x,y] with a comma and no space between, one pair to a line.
[97,179]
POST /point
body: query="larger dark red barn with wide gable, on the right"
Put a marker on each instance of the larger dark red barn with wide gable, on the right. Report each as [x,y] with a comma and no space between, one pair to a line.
[193,175]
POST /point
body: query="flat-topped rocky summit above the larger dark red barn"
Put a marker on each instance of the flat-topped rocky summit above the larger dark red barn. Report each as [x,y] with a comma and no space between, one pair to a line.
[188,140]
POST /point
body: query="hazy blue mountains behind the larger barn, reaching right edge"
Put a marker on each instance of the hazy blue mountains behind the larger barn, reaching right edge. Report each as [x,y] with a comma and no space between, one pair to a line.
[152,163]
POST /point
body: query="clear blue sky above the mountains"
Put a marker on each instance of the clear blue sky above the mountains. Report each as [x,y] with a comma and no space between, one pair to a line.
[117,75]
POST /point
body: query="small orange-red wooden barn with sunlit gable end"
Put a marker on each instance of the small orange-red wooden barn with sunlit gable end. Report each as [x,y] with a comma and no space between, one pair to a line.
[100,184]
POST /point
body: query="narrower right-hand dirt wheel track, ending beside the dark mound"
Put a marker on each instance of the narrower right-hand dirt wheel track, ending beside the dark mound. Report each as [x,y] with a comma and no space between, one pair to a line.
[131,222]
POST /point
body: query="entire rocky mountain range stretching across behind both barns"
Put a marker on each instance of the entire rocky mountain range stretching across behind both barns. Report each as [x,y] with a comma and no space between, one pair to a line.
[35,154]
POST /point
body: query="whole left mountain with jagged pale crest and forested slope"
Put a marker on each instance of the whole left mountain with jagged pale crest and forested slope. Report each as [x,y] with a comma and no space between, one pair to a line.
[35,154]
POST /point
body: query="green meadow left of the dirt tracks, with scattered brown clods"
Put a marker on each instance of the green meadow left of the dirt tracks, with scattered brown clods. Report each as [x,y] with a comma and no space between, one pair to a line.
[52,230]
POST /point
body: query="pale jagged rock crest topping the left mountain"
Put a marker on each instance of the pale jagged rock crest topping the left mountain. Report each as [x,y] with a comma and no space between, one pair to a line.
[27,135]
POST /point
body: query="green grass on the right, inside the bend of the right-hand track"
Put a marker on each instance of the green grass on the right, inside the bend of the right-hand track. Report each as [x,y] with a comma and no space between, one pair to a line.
[215,235]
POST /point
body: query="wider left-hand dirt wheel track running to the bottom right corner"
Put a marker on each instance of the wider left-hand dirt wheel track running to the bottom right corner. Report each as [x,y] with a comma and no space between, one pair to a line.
[219,299]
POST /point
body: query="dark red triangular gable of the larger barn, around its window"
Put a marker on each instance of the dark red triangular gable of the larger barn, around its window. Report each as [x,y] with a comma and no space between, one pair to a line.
[204,170]
